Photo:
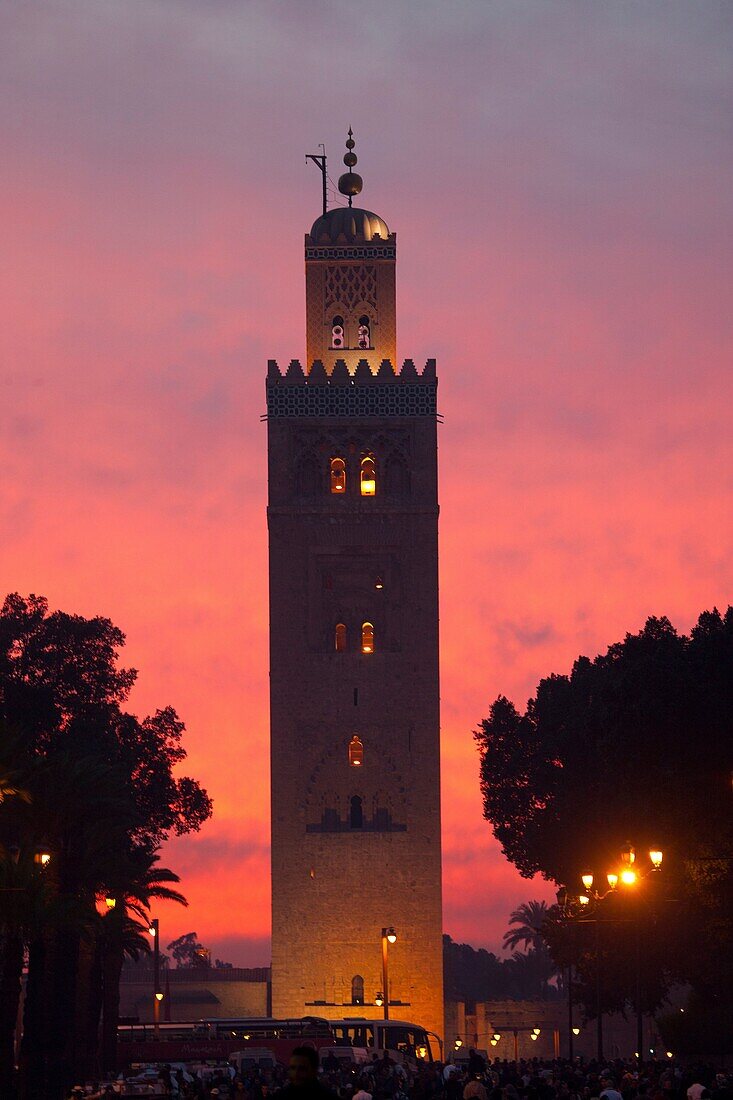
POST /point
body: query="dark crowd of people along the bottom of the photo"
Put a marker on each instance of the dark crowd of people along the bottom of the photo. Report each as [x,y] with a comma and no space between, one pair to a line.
[473,1080]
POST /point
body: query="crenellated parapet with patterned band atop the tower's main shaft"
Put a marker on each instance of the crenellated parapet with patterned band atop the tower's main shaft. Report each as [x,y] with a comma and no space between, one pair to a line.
[343,393]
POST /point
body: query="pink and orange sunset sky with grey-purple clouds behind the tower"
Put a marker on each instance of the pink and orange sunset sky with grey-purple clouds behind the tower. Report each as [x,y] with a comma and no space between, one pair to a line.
[559,177]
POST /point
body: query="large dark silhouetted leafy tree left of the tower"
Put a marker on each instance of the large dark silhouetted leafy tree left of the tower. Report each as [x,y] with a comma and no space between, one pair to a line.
[102,794]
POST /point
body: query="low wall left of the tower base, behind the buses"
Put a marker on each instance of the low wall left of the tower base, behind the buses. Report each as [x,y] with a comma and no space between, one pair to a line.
[194,995]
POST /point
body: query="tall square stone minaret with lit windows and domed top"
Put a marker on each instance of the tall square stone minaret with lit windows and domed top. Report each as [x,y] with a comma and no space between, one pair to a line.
[354,643]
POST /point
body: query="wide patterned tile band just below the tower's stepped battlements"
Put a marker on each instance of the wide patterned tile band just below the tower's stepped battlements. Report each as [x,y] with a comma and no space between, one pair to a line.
[415,399]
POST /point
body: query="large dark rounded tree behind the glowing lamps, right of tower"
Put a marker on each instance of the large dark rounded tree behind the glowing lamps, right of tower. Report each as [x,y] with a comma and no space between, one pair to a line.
[636,745]
